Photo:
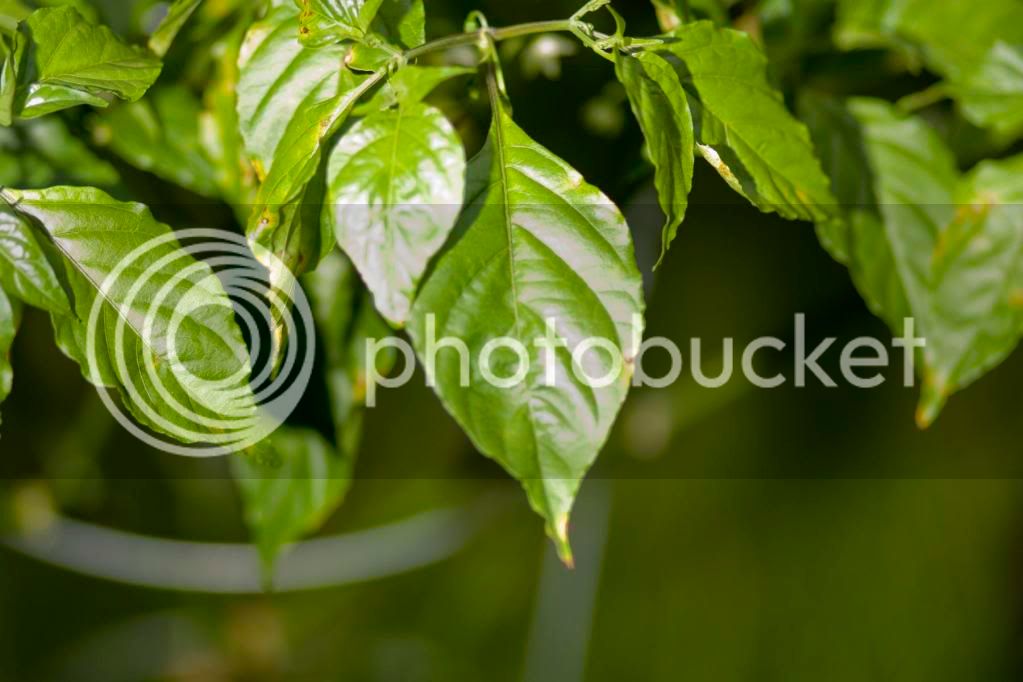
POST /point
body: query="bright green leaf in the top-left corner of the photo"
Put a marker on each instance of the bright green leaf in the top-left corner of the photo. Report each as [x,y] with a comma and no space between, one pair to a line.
[72,62]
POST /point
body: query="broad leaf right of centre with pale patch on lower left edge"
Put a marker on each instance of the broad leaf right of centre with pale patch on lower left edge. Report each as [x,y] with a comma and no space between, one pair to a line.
[743,128]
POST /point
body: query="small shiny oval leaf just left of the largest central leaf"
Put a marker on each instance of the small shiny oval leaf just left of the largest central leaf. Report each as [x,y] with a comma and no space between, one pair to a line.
[395,185]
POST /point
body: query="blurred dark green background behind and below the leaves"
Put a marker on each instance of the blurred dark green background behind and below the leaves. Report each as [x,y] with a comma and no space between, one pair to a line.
[726,535]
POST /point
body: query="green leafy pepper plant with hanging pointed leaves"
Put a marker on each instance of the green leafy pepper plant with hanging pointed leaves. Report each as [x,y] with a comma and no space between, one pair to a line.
[315,121]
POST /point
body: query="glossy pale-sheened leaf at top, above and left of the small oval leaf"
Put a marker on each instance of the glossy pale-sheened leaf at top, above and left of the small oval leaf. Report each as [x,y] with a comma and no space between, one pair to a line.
[279,79]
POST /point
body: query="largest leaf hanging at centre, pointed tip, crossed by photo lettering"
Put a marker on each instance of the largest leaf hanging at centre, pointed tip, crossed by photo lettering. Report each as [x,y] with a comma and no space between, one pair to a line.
[537,243]
